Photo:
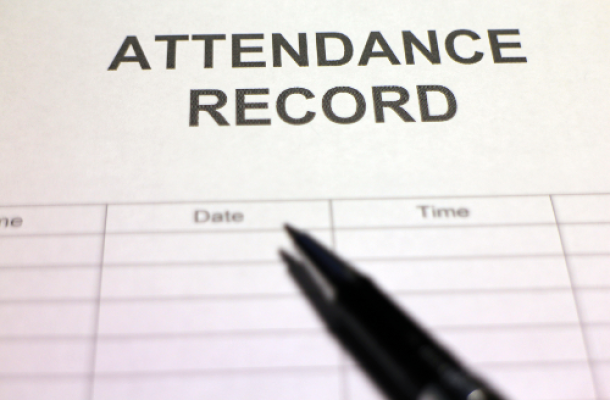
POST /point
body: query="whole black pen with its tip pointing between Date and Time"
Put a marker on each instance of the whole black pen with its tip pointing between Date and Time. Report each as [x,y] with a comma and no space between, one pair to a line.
[404,361]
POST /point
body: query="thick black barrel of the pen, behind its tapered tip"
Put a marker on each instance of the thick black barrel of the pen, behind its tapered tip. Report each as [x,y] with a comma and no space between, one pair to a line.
[404,360]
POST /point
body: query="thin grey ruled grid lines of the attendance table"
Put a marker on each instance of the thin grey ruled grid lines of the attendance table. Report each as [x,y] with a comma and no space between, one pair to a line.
[338,235]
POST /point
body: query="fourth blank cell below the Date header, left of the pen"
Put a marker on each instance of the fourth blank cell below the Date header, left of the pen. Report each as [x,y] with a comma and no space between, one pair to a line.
[210,353]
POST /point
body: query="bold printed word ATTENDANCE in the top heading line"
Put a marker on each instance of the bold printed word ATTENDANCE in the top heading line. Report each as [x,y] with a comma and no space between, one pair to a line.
[501,45]
